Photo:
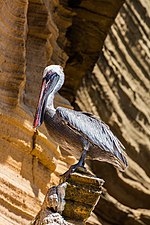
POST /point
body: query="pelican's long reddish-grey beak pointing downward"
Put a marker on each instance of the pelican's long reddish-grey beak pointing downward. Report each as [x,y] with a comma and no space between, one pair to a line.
[39,115]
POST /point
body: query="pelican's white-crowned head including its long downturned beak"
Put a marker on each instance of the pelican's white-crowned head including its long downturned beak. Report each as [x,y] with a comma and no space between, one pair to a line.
[53,79]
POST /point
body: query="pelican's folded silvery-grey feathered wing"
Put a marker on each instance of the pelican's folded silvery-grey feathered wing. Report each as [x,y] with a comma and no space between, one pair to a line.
[94,130]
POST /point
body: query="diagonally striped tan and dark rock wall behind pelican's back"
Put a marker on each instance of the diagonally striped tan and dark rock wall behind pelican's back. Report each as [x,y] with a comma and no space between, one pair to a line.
[119,92]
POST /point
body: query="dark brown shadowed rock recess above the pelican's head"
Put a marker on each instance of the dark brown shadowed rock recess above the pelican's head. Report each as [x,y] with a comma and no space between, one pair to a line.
[90,26]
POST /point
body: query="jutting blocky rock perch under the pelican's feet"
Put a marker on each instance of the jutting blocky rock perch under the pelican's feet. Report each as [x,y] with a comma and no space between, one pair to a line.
[74,199]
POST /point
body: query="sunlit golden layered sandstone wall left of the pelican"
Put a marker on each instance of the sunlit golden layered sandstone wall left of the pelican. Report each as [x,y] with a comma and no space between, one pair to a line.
[27,42]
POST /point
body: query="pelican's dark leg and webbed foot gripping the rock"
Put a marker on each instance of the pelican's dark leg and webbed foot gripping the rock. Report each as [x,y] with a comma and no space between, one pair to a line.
[80,163]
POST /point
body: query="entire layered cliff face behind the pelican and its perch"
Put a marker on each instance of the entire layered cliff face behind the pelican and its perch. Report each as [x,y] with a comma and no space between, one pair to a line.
[71,33]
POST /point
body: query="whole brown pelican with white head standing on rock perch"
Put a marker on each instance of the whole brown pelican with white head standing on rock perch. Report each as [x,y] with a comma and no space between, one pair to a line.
[75,130]
